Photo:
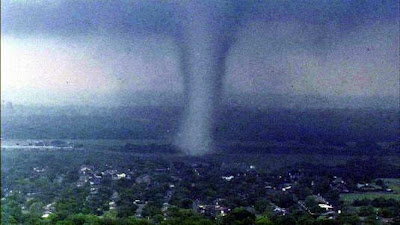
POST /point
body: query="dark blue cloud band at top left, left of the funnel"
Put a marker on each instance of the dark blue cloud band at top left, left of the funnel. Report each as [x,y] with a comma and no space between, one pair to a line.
[69,18]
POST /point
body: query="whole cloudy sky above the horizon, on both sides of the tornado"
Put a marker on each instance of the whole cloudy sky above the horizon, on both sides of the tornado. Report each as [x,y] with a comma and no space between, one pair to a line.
[87,52]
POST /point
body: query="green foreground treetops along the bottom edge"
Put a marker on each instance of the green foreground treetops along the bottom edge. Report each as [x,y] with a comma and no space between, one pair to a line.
[239,216]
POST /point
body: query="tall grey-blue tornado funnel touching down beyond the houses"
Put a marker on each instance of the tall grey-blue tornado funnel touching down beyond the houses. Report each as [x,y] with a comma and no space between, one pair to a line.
[204,42]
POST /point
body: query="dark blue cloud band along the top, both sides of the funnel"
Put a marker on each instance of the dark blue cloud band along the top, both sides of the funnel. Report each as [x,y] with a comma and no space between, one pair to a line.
[80,17]
